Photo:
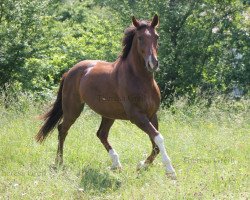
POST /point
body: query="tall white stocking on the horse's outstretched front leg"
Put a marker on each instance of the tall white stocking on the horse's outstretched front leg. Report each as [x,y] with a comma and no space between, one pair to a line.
[159,140]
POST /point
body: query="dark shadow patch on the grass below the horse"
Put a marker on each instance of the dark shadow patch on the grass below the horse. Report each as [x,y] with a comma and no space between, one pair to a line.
[95,181]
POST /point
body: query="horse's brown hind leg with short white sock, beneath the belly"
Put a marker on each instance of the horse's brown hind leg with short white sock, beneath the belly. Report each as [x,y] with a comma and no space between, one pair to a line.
[102,134]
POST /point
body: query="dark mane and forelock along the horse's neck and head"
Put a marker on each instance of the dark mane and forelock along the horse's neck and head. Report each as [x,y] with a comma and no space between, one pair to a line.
[129,34]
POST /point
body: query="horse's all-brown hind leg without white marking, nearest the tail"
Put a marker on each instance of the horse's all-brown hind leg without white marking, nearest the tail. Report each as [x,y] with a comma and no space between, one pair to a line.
[70,113]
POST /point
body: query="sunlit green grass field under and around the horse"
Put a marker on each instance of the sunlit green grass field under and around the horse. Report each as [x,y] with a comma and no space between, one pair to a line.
[209,149]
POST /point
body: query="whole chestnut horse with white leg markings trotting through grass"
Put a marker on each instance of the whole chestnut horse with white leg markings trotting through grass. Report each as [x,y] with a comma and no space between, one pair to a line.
[124,89]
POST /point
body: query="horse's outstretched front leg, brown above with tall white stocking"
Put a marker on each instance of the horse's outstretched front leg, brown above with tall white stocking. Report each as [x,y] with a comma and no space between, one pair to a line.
[144,124]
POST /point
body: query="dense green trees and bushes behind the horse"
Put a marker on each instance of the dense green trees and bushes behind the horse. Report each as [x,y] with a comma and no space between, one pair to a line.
[204,44]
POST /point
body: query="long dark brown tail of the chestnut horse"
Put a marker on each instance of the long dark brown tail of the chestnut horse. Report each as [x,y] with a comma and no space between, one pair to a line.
[52,117]
